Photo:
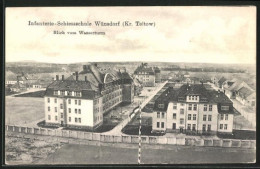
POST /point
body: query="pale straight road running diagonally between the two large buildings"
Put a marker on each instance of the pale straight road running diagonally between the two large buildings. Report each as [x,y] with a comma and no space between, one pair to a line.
[117,130]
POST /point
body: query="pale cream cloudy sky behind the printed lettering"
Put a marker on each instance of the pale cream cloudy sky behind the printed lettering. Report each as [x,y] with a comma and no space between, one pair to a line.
[181,34]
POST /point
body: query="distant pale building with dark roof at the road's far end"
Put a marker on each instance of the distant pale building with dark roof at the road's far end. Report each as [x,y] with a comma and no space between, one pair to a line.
[148,76]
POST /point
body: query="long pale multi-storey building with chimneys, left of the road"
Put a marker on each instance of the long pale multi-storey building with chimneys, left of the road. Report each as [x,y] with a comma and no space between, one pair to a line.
[82,99]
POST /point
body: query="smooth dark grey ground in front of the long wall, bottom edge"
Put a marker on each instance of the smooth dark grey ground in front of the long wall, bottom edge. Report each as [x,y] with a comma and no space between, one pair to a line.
[87,154]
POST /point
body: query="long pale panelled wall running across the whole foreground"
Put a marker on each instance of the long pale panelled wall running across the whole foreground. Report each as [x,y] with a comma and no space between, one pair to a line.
[133,139]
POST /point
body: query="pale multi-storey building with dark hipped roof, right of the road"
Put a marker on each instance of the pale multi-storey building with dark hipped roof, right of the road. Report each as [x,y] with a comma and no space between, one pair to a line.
[193,109]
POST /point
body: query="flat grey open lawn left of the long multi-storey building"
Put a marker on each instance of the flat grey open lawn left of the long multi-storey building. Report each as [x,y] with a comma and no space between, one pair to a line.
[23,110]
